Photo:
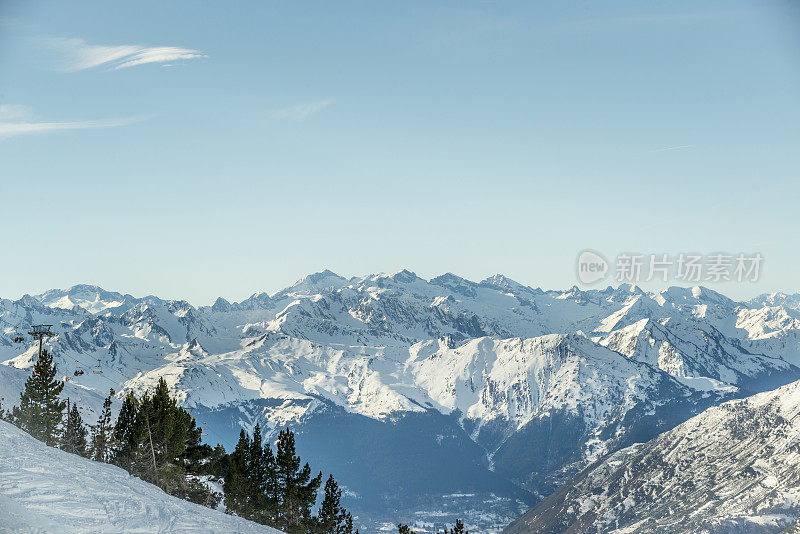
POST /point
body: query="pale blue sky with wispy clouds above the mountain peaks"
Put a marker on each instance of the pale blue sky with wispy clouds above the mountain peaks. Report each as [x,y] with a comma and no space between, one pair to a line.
[197,149]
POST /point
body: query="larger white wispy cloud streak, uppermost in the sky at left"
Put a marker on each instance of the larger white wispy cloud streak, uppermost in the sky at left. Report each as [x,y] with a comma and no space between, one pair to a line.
[77,55]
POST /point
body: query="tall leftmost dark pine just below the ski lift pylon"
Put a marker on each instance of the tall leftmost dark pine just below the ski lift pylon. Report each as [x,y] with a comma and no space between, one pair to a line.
[40,409]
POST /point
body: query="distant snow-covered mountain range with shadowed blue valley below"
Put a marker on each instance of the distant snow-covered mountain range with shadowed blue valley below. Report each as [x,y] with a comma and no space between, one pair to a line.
[441,397]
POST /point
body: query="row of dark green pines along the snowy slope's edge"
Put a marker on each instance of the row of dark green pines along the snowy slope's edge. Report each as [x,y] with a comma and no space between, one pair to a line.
[160,442]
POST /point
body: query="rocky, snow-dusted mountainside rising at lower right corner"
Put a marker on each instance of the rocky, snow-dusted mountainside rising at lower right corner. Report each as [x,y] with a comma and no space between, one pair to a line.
[734,468]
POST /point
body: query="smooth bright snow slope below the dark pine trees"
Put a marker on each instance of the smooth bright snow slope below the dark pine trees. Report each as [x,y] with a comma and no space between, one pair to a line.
[43,489]
